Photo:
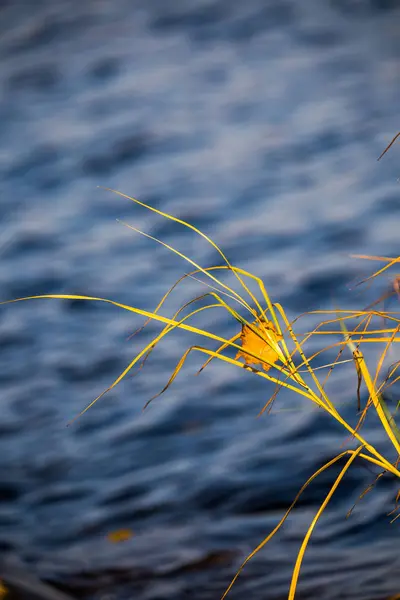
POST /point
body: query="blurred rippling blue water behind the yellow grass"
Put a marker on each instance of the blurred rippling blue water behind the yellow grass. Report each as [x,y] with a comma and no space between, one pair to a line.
[259,122]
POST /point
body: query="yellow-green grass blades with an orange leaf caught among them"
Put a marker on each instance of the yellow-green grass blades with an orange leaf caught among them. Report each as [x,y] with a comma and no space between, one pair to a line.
[266,344]
